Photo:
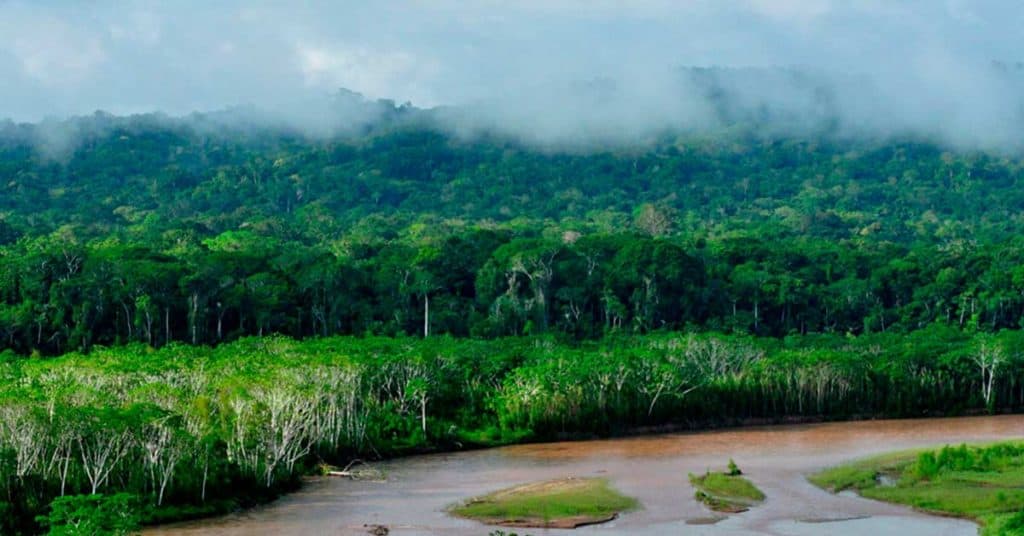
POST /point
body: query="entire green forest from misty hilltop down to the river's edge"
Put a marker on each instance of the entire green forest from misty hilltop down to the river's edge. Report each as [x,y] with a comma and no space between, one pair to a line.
[194,315]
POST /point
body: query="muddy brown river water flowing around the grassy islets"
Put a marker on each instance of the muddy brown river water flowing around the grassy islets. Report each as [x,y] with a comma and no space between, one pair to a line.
[654,470]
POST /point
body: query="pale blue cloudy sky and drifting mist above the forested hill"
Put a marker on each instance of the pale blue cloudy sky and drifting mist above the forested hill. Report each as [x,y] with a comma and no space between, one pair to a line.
[562,74]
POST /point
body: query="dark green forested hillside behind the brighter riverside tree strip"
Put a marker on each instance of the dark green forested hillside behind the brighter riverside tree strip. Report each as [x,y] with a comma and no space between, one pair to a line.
[205,229]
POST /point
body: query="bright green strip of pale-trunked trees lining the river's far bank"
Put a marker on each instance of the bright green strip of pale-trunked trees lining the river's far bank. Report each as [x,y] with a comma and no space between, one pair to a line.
[192,431]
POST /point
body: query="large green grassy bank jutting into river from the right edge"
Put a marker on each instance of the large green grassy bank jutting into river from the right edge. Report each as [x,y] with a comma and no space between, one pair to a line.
[980,483]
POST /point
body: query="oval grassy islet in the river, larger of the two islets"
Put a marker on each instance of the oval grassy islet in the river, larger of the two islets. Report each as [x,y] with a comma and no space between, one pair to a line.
[562,504]
